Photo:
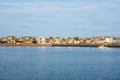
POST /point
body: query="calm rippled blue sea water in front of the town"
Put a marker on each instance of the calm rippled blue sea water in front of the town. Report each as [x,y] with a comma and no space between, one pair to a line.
[62,63]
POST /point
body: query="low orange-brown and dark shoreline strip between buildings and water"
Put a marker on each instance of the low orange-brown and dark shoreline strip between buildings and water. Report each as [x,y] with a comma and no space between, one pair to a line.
[56,45]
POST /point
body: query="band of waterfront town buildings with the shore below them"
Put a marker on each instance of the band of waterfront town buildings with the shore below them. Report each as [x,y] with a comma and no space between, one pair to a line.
[58,41]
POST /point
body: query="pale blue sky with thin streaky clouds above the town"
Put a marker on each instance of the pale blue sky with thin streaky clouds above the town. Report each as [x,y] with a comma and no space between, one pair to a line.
[64,18]
